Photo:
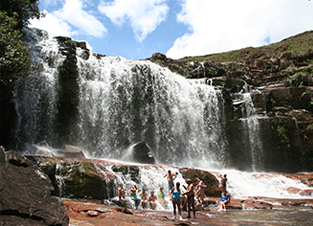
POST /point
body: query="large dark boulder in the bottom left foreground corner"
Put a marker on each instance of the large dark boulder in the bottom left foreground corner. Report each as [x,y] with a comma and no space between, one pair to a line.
[25,194]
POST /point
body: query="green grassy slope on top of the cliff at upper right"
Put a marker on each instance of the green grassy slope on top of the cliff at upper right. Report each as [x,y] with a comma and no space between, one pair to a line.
[295,45]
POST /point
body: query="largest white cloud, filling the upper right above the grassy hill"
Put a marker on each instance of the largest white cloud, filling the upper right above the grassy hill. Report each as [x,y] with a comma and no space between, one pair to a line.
[218,26]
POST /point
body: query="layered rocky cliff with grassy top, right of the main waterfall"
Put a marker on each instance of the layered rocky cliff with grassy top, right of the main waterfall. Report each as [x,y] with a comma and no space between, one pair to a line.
[280,80]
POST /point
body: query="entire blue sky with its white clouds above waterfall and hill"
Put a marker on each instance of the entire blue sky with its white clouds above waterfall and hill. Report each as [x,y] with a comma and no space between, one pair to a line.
[135,29]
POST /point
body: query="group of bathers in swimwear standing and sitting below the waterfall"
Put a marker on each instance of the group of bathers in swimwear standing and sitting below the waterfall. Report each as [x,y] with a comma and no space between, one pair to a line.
[178,198]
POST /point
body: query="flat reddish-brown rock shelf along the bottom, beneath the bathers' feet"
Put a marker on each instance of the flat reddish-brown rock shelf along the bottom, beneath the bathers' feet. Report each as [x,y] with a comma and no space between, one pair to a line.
[239,211]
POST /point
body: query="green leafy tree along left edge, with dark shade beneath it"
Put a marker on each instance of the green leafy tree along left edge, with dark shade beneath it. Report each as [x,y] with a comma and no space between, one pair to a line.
[15,60]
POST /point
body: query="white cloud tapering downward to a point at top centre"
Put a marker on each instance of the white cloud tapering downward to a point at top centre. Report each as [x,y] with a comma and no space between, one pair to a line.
[144,16]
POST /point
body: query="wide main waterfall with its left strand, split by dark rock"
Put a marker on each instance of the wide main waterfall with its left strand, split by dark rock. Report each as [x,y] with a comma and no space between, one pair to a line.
[121,103]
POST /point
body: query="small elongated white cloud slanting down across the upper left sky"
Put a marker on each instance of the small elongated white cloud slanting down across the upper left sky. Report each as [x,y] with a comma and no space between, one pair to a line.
[73,13]
